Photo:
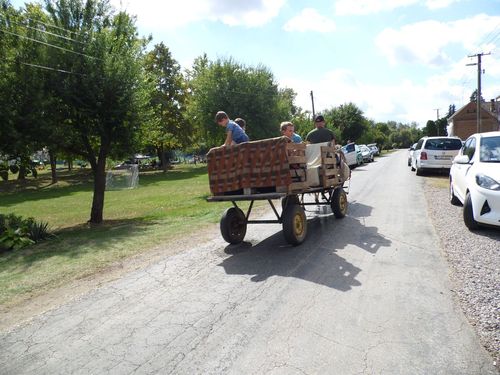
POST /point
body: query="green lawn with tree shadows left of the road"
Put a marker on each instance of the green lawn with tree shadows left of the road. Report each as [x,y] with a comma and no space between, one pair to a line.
[163,207]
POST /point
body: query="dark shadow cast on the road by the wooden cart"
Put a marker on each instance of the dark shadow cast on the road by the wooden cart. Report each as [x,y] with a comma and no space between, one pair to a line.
[316,260]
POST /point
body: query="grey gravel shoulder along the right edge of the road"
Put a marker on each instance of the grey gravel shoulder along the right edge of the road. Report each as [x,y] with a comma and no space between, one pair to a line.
[474,259]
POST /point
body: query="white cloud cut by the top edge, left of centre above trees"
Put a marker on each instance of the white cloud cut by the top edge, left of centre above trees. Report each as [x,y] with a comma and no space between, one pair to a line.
[174,14]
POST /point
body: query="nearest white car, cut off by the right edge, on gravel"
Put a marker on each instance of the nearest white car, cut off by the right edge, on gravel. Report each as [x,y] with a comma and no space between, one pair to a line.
[475,179]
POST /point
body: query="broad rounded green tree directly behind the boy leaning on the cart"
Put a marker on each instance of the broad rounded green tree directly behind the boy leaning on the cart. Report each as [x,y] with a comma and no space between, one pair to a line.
[247,92]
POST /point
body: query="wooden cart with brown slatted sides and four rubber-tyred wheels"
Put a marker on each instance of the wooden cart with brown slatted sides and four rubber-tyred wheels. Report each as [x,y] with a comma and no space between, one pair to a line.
[276,169]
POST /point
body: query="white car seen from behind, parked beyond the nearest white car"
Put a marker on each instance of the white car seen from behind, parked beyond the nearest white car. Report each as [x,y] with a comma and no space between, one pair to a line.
[435,153]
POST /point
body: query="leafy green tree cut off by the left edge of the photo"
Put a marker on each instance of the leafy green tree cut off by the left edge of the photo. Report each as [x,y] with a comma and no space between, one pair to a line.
[21,87]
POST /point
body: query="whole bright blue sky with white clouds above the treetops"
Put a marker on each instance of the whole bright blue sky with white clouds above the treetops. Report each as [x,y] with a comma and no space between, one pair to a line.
[397,60]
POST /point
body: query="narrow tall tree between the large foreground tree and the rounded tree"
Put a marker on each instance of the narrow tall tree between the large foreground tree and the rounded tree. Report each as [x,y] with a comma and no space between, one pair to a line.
[166,128]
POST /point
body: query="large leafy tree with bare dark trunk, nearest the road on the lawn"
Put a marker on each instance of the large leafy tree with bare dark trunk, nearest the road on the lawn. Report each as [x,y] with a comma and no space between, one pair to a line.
[105,94]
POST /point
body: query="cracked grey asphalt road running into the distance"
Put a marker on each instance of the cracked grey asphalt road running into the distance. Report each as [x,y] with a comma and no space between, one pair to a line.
[367,294]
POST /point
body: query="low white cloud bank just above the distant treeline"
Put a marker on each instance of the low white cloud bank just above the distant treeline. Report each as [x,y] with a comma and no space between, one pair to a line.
[407,101]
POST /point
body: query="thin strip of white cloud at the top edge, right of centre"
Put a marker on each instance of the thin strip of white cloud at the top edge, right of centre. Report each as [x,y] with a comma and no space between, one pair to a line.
[361,7]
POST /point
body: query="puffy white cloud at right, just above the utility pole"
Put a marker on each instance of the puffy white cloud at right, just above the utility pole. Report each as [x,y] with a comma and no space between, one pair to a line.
[427,42]
